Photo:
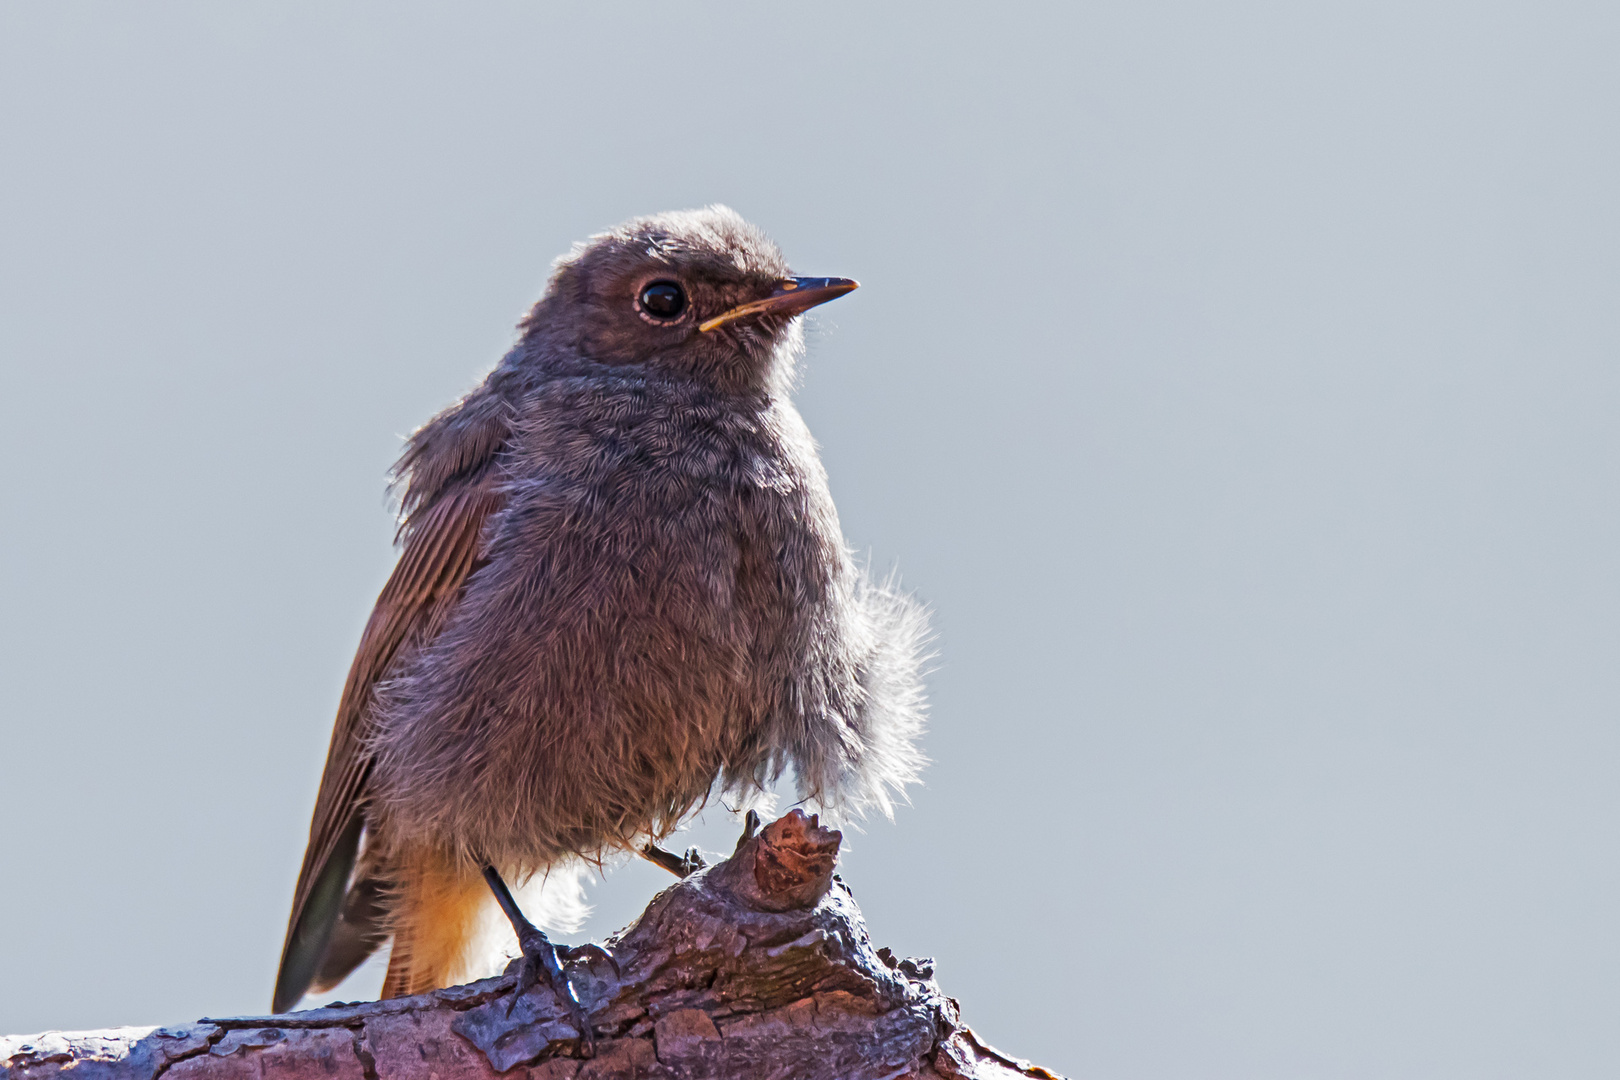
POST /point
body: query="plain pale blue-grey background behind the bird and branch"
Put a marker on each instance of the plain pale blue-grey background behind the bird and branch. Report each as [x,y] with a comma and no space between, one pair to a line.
[1238,385]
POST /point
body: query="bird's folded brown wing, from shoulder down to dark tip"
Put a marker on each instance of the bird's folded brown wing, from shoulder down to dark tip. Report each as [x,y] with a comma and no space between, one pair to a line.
[443,546]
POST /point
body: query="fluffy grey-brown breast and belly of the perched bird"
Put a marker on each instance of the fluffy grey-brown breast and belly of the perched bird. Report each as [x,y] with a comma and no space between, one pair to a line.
[652,585]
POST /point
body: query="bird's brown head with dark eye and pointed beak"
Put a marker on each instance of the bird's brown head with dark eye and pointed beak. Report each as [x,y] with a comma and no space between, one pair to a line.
[696,292]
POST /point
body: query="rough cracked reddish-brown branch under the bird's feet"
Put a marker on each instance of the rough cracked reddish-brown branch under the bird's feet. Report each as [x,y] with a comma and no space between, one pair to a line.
[756,967]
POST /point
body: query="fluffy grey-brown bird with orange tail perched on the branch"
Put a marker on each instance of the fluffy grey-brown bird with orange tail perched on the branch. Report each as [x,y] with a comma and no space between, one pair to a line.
[623,590]
